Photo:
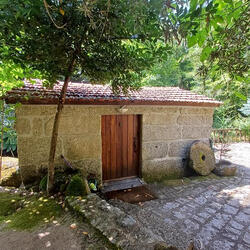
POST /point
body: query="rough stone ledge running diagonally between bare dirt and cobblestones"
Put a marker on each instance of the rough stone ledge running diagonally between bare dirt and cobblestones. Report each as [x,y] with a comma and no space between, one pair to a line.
[117,226]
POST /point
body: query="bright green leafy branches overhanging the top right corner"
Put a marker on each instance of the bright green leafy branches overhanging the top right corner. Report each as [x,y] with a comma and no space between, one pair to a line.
[221,28]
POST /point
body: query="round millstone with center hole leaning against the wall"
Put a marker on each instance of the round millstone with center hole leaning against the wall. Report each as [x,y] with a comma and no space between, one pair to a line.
[202,158]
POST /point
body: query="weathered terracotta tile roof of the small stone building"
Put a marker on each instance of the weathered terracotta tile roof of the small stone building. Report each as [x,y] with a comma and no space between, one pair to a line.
[85,93]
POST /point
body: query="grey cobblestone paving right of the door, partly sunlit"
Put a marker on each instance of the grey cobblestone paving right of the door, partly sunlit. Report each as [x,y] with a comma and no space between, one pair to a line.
[214,213]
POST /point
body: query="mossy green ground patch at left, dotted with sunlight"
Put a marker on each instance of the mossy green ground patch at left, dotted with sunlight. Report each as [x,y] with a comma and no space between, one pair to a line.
[27,213]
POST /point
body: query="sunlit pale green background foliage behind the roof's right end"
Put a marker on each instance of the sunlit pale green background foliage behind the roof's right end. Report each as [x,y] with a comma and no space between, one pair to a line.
[184,69]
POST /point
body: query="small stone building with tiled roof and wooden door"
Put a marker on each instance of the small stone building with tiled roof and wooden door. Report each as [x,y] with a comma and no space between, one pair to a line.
[145,134]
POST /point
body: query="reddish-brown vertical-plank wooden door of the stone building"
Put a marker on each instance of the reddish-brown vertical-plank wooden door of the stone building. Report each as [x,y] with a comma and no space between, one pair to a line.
[120,146]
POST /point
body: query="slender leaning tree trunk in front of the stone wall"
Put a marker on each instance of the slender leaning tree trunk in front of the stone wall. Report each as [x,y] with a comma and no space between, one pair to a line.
[53,143]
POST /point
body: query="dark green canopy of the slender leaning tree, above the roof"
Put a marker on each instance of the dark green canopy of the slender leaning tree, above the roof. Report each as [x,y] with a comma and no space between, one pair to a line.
[105,40]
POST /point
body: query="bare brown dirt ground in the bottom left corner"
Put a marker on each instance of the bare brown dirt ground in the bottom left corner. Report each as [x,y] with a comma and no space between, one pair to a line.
[68,233]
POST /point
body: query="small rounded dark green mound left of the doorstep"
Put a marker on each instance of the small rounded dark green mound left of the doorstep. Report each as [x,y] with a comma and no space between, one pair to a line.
[76,187]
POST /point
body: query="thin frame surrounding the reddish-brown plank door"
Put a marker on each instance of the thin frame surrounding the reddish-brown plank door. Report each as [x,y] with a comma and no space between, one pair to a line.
[139,149]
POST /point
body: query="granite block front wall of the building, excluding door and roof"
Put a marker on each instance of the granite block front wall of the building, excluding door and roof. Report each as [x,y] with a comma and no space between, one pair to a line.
[167,131]
